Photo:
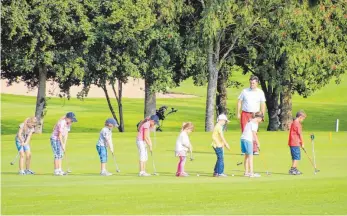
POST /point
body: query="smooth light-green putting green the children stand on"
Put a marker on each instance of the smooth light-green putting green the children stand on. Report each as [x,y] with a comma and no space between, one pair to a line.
[85,192]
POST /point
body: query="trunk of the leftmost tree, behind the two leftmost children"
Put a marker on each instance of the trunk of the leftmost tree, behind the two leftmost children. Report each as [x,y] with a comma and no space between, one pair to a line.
[41,98]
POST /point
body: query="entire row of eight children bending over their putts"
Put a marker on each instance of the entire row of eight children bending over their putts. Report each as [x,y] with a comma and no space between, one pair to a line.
[143,140]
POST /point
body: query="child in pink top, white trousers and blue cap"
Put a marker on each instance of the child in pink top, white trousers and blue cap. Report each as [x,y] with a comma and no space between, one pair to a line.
[143,138]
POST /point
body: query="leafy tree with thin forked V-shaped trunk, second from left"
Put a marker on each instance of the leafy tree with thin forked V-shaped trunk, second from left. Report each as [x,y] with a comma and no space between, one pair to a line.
[114,50]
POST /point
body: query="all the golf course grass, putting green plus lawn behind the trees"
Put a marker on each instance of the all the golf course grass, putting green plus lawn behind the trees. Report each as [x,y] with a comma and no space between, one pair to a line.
[84,191]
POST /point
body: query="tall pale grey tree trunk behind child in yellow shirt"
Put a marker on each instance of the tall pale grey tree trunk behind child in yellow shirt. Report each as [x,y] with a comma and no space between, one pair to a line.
[211,89]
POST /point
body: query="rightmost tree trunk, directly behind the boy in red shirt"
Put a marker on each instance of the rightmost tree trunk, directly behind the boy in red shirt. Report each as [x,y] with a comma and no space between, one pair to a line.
[286,117]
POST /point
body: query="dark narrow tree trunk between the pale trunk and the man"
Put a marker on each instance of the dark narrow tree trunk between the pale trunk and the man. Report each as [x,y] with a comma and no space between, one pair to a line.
[222,94]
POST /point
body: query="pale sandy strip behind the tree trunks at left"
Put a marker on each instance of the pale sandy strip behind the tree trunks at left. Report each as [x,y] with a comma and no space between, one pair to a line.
[133,89]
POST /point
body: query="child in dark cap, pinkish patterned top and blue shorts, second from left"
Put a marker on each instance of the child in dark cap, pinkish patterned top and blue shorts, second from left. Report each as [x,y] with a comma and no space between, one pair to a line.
[58,140]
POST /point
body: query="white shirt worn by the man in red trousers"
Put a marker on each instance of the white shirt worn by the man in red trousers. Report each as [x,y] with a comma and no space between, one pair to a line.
[251,99]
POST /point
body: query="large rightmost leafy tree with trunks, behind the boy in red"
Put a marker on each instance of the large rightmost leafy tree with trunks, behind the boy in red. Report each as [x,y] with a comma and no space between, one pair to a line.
[300,50]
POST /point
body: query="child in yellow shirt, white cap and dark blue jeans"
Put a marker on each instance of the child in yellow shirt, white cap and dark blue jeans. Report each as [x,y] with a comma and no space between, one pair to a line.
[218,143]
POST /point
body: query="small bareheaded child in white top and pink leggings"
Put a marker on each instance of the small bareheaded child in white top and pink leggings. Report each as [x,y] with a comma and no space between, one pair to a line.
[183,145]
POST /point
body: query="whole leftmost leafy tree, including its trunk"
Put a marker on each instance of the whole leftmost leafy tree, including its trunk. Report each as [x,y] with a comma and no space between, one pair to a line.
[43,40]
